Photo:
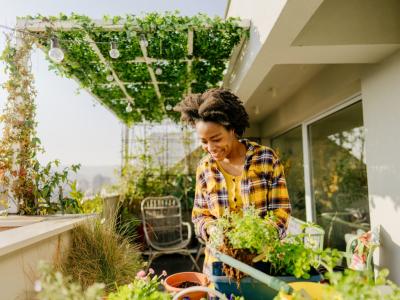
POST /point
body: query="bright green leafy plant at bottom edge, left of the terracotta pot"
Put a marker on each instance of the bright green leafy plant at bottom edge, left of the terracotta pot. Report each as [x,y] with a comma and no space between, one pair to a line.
[142,288]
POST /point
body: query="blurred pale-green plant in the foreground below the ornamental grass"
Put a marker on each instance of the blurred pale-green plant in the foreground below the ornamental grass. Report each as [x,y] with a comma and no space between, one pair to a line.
[54,285]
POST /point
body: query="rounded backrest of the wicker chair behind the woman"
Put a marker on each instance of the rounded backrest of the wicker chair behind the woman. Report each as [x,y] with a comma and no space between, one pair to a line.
[162,220]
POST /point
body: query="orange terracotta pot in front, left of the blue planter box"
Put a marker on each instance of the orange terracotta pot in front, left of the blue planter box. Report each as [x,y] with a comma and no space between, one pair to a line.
[174,280]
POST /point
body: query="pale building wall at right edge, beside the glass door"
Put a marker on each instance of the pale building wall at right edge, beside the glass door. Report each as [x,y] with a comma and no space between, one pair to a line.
[381,105]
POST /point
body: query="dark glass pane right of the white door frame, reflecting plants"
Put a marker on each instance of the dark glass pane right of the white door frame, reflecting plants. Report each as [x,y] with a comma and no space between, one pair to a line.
[339,176]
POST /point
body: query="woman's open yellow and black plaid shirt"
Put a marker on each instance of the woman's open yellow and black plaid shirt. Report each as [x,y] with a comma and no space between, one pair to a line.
[263,186]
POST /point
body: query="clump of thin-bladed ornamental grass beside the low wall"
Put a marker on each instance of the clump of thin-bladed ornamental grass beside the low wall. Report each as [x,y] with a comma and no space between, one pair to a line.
[99,254]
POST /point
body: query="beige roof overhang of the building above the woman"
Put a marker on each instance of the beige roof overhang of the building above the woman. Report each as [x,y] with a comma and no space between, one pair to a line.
[306,36]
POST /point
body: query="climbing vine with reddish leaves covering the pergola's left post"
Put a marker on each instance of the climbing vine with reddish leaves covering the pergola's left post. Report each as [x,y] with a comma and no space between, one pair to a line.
[19,143]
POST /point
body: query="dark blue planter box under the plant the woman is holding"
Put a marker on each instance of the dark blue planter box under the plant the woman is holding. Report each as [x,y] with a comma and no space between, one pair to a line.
[250,288]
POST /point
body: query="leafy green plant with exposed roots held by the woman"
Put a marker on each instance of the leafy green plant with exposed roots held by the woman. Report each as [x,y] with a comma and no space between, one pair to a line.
[251,238]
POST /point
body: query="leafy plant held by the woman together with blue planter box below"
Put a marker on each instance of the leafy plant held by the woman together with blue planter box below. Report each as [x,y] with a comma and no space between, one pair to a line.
[254,240]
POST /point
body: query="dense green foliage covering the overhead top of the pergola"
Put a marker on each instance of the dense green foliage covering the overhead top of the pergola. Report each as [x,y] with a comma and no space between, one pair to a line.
[162,57]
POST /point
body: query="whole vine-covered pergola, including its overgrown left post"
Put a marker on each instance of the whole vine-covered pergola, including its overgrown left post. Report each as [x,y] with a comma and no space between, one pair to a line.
[137,67]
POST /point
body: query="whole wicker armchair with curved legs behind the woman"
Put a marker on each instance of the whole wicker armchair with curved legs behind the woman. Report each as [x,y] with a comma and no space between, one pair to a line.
[163,228]
